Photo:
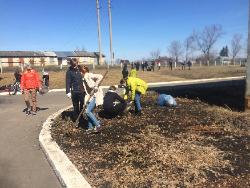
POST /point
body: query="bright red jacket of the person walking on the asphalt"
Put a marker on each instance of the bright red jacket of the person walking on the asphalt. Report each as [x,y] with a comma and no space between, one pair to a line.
[30,80]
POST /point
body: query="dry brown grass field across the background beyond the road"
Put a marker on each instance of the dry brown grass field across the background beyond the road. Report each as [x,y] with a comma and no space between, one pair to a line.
[57,78]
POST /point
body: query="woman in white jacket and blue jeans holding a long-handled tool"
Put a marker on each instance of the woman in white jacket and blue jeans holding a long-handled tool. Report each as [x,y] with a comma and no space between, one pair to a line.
[90,82]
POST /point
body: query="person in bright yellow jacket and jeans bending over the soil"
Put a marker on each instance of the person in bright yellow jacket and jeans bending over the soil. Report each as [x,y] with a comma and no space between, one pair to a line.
[137,87]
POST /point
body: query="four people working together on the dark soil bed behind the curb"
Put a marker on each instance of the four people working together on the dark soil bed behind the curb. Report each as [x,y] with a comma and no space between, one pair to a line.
[80,84]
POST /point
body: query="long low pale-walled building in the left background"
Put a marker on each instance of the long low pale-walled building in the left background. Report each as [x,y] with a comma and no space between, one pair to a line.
[39,58]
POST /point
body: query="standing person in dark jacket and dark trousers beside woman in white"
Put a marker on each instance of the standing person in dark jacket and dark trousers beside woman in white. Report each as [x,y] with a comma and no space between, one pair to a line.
[74,86]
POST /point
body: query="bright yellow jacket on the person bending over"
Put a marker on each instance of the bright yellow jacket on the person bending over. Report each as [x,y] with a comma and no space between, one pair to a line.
[136,85]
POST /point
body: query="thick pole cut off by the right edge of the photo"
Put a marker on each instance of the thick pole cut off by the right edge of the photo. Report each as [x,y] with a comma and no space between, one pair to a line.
[247,94]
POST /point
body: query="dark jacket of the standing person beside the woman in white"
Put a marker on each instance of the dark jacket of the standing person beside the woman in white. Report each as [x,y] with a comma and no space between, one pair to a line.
[74,81]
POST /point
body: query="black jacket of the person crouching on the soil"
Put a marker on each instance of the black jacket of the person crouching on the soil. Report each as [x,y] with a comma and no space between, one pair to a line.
[109,100]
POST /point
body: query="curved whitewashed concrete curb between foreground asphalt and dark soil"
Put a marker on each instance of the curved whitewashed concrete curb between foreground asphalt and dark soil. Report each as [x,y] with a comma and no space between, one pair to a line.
[65,170]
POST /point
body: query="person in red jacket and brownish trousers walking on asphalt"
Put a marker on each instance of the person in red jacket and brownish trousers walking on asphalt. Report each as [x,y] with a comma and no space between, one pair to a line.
[30,83]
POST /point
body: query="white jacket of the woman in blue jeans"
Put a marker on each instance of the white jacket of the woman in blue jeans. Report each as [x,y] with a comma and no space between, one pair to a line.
[92,80]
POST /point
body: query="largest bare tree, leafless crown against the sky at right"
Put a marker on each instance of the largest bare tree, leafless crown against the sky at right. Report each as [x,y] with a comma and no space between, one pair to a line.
[206,39]
